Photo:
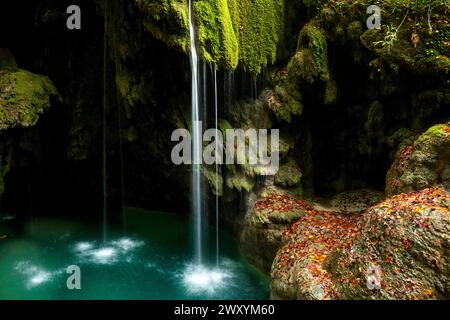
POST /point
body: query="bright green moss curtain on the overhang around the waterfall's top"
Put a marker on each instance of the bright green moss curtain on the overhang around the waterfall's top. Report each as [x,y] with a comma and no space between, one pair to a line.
[230,32]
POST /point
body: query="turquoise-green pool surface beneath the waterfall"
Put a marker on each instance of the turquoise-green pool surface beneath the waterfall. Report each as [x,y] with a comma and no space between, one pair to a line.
[153,260]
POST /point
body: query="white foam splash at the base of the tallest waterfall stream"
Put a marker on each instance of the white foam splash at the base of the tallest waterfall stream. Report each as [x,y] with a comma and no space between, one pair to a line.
[201,279]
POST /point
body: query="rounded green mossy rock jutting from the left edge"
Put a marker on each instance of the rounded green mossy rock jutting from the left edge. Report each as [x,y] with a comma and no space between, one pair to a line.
[23,97]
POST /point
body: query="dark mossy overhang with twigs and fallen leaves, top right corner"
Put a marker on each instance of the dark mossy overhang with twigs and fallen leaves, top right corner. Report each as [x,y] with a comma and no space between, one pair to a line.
[400,20]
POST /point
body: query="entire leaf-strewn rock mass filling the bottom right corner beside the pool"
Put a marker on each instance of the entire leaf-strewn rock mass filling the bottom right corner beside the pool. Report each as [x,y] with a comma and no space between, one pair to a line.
[397,249]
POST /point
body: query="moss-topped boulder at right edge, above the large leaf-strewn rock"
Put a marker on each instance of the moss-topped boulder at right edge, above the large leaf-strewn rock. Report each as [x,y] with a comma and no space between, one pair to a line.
[423,164]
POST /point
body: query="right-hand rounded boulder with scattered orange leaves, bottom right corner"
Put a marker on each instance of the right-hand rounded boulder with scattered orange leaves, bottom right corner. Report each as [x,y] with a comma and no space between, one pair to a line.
[406,238]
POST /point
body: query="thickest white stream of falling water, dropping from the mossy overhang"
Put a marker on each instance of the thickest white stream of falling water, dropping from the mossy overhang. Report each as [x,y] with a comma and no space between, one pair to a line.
[196,145]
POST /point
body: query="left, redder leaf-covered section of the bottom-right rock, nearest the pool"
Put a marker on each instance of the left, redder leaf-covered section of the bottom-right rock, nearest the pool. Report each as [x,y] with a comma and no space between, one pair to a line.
[299,270]
